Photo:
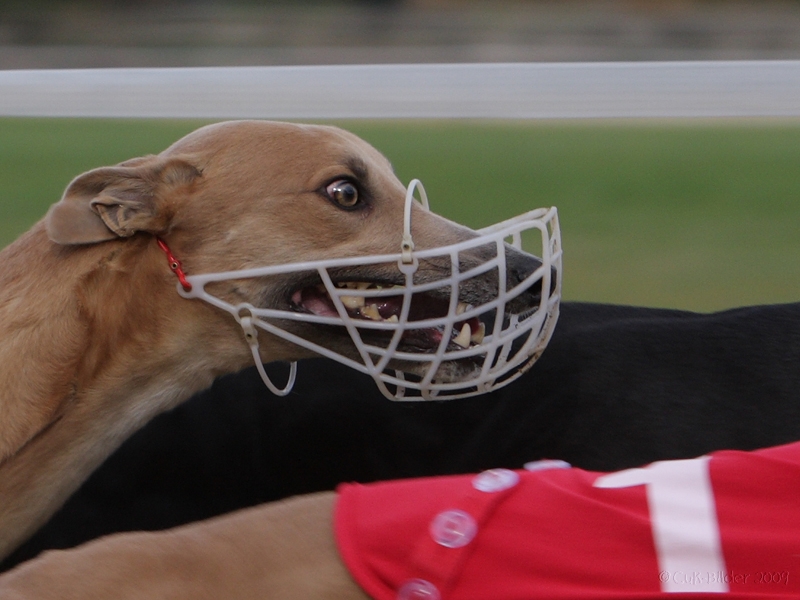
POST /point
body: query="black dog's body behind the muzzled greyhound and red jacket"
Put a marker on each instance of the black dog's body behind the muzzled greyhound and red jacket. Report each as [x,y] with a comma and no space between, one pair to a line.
[617,387]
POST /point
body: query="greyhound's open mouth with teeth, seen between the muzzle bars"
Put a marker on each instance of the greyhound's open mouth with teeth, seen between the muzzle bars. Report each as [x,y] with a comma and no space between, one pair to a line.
[384,307]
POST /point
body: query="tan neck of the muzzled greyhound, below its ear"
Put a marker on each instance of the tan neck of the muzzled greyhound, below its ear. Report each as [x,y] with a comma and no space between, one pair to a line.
[93,345]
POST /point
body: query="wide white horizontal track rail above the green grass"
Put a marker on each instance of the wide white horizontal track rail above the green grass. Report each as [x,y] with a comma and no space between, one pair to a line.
[513,91]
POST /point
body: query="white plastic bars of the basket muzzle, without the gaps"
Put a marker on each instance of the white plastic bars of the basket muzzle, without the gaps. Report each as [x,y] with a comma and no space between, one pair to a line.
[512,344]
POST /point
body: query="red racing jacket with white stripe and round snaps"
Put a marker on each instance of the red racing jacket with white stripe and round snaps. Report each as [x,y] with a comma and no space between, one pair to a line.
[725,525]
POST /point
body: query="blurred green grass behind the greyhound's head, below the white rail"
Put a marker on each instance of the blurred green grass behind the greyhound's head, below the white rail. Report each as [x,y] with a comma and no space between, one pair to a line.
[695,215]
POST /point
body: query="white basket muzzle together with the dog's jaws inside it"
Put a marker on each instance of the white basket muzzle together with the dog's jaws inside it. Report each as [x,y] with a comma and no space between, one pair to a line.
[421,335]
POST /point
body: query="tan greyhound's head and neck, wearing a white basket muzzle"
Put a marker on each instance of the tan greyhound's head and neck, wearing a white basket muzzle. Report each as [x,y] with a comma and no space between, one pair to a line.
[96,338]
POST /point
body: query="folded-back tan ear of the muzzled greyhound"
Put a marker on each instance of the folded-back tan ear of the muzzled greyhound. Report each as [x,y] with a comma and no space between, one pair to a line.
[113,202]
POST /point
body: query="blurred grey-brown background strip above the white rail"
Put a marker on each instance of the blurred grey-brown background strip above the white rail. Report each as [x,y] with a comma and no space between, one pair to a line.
[183,33]
